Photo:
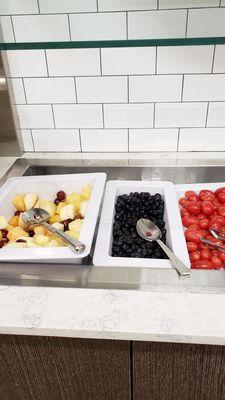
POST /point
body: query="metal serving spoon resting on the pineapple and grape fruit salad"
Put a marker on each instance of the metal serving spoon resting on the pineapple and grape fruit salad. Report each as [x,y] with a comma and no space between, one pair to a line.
[40,216]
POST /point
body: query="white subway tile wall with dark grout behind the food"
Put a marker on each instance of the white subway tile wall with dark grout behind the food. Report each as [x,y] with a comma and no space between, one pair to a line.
[137,99]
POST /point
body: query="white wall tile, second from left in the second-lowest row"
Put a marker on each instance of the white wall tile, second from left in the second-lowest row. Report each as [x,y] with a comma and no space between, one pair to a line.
[78,115]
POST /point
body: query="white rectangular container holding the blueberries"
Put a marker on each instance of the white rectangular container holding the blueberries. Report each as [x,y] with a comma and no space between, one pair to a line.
[175,236]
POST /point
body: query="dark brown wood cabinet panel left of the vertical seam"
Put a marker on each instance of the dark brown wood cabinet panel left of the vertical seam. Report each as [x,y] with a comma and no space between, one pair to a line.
[48,368]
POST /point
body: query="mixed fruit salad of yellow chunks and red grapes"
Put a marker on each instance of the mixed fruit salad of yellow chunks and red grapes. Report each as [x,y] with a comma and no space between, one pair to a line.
[66,213]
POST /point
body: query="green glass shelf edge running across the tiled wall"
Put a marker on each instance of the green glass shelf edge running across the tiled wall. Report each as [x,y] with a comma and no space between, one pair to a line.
[113,43]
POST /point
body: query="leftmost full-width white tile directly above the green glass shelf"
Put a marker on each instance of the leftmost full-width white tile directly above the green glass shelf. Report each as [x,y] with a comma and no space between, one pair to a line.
[41,28]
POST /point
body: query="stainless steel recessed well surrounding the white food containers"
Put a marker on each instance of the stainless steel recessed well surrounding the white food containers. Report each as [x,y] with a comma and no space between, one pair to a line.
[88,276]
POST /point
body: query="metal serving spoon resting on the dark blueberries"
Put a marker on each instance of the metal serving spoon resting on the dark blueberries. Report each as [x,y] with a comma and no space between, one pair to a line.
[150,232]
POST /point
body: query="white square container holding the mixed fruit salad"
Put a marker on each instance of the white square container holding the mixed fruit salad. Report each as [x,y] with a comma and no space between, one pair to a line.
[46,187]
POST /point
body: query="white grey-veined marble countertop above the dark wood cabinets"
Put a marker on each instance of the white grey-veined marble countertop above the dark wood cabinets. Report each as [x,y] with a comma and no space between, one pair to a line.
[111,314]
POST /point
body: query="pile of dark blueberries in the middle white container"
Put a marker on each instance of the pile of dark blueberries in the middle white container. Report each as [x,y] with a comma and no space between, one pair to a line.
[128,210]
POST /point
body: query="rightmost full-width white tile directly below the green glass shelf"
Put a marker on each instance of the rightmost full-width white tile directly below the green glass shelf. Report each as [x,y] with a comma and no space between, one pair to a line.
[184,59]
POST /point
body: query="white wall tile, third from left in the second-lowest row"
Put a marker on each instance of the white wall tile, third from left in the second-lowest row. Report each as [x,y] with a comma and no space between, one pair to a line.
[128,115]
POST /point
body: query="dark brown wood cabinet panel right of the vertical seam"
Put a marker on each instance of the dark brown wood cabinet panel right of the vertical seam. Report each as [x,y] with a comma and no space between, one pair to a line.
[169,371]
